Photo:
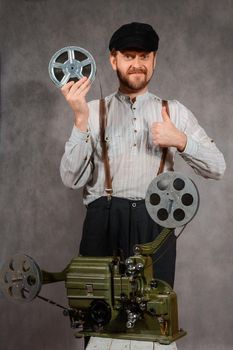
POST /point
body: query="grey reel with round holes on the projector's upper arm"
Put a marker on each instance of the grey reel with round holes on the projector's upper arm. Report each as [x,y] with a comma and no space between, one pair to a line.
[172,199]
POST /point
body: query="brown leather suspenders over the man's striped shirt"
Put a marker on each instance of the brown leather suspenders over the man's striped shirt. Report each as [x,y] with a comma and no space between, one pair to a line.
[103,122]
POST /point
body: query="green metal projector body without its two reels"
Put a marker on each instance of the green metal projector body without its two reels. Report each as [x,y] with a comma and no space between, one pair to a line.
[122,300]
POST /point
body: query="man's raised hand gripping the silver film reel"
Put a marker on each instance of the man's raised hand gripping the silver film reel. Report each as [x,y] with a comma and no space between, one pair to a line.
[75,95]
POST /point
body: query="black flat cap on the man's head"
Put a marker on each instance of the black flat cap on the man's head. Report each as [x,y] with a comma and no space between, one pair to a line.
[134,35]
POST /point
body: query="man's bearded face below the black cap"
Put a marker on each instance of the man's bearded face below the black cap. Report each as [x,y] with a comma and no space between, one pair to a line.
[134,68]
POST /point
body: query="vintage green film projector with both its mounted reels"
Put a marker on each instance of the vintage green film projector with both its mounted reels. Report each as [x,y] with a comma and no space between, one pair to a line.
[111,297]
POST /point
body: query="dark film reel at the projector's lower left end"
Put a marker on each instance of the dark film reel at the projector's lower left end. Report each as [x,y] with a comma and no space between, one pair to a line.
[20,278]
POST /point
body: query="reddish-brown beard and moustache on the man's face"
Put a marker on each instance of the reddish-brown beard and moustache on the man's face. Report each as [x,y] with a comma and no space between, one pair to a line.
[132,81]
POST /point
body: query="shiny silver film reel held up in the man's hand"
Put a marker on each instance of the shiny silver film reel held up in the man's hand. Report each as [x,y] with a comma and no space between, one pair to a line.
[71,63]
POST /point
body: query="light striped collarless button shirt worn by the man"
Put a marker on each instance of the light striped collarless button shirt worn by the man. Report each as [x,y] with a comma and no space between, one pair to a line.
[134,158]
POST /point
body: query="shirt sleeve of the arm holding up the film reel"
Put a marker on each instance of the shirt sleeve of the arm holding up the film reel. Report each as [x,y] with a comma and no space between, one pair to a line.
[76,165]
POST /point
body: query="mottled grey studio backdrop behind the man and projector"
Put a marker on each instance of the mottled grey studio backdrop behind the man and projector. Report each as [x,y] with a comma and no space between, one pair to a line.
[42,218]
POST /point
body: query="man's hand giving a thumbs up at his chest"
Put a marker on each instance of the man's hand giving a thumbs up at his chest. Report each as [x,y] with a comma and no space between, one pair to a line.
[165,133]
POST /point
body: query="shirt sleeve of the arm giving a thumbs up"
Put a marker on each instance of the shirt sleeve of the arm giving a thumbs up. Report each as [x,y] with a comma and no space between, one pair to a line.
[200,152]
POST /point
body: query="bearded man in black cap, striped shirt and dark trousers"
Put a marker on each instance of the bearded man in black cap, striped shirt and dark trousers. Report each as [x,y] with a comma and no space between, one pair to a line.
[136,130]
